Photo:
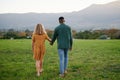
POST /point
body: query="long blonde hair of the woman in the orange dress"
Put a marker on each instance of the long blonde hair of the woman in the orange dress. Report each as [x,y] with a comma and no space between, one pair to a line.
[39,29]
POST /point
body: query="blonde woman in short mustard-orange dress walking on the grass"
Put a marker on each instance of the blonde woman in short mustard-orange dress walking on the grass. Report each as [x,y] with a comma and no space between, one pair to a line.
[38,46]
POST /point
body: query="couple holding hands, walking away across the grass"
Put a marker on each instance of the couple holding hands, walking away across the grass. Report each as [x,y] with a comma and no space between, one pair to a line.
[63,35]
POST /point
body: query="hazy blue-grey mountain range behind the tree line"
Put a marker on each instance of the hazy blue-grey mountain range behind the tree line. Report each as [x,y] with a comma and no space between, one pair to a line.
[96,16]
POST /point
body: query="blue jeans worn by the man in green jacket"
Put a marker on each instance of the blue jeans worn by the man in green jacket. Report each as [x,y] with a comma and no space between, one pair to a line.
[63,56]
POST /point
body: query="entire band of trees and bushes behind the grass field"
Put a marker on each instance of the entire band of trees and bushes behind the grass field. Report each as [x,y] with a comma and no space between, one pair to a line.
[87,34]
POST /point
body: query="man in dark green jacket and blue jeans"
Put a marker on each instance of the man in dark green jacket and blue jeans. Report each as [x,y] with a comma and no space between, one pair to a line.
[63,35]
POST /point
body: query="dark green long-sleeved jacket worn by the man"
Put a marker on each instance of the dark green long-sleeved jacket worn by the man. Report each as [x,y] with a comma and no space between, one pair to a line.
[63,35]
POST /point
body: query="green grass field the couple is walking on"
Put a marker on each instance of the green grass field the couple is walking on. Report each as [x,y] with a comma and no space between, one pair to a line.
[89,60]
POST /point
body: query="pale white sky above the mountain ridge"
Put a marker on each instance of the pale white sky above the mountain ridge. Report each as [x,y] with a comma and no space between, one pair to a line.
[46,6]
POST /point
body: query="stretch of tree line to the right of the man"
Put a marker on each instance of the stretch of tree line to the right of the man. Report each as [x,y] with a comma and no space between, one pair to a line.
[98,34]
